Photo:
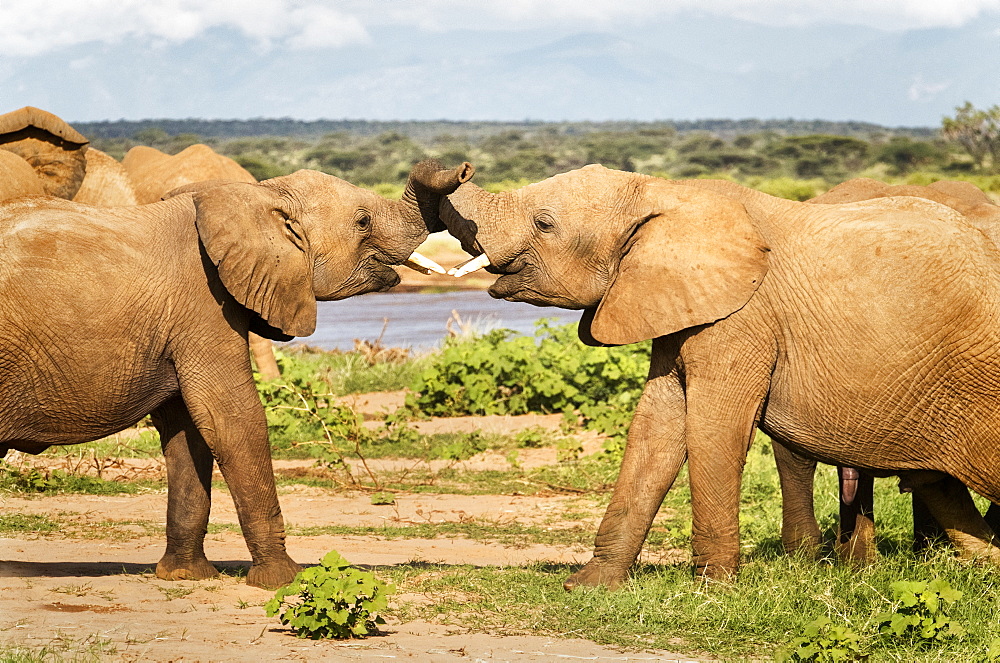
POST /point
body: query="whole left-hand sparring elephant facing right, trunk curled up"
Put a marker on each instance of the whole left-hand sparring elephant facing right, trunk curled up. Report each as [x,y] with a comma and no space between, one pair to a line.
[111,314]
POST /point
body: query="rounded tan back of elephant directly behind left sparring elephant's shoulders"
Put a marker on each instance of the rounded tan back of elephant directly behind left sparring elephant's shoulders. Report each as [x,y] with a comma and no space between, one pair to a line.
[155,173]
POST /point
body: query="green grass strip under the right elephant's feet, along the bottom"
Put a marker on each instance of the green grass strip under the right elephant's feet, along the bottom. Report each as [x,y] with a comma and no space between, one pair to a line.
[664,607]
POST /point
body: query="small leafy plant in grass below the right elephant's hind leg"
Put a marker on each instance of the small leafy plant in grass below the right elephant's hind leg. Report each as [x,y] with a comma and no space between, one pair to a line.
[921,612]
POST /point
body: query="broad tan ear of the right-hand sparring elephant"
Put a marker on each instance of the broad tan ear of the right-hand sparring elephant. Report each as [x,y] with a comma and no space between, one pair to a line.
[695,258]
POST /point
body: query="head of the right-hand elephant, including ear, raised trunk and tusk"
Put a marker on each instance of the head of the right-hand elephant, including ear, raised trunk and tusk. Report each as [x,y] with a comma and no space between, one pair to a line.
[645,257]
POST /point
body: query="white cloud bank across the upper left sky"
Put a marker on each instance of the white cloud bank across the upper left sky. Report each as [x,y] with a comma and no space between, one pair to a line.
[29,28]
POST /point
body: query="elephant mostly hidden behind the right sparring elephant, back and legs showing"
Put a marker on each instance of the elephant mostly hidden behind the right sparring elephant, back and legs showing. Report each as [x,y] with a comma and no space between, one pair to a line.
[856,540]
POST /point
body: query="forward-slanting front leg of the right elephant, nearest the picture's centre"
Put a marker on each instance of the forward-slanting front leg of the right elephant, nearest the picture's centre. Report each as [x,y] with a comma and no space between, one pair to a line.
[654,454]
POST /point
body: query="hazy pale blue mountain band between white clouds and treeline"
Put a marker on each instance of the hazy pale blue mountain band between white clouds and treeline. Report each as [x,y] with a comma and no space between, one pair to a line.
[688,66]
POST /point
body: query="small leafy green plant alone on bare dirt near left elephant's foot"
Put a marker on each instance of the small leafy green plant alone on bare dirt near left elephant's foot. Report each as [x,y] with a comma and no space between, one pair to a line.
[331,600]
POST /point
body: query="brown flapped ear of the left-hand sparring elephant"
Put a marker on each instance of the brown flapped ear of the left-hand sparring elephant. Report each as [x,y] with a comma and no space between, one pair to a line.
[262,253]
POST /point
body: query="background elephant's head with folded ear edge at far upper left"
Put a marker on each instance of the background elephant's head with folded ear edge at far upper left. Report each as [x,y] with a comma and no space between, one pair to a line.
[55,150]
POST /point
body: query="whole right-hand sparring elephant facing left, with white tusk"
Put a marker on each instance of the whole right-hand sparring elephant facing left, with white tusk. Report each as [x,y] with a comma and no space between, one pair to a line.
[849,333]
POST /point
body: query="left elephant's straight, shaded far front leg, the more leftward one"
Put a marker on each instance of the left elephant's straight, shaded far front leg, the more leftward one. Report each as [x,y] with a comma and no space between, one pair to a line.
[189,485]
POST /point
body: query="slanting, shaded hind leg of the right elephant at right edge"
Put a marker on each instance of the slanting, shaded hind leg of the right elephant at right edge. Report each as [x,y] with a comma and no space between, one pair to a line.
[950,503]
